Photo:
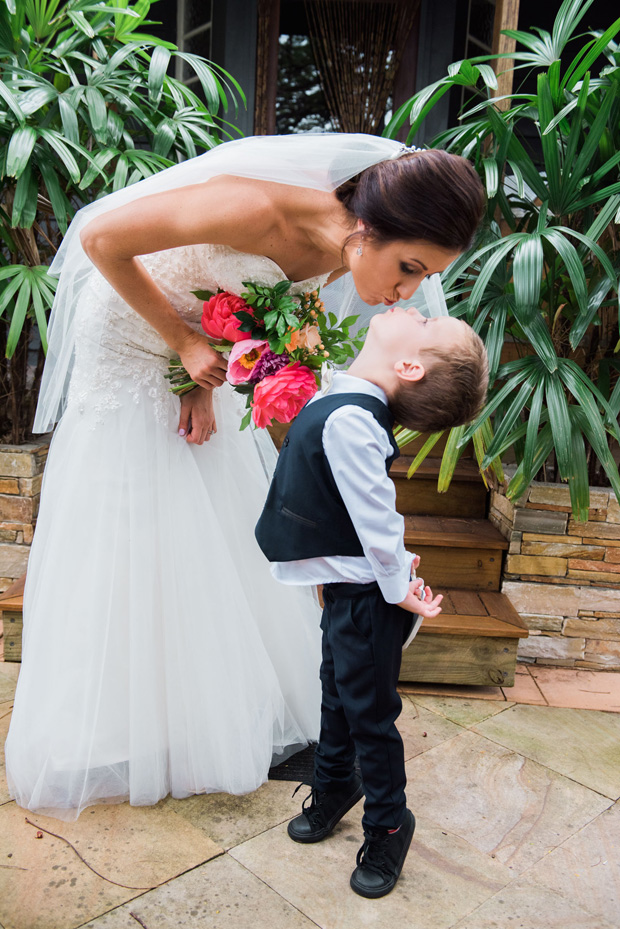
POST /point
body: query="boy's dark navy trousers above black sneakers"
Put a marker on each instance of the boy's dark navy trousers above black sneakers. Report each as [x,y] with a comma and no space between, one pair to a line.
[362,649]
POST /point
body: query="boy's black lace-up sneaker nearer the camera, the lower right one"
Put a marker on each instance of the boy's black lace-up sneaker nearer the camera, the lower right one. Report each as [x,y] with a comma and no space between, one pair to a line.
[380,859]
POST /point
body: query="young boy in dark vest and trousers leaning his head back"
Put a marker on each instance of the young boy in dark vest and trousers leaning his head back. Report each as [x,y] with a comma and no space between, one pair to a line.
[330,519]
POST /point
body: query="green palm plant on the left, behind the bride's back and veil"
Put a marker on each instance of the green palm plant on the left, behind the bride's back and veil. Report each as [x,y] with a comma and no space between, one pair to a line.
[86,107]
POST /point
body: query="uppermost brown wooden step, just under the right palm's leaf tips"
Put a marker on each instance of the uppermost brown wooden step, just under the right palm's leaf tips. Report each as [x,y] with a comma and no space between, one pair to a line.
[466,496]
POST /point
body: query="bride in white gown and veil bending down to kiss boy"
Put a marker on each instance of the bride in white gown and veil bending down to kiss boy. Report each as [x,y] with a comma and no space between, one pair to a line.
[159,655]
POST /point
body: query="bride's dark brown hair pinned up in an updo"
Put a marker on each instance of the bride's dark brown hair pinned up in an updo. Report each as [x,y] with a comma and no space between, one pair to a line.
[430,194]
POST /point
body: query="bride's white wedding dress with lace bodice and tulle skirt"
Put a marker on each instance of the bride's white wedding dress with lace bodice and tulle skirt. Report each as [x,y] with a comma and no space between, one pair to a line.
[159,654]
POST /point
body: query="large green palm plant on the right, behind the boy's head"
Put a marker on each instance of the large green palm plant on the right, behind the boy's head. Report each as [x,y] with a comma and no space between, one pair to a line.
[544,271]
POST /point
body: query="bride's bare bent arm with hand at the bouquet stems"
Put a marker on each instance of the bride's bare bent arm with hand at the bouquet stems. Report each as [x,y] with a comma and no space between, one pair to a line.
[216,212]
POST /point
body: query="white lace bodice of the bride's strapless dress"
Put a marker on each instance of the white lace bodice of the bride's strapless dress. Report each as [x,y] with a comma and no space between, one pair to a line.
[118,353]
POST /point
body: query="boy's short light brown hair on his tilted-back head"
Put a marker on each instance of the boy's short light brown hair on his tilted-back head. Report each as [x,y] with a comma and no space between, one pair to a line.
[452,391]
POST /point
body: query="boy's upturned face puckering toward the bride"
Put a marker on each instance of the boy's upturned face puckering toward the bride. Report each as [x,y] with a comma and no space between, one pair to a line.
[406,334]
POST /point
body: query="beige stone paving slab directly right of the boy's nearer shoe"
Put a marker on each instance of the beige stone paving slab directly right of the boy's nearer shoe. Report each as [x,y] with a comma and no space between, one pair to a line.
[503,804]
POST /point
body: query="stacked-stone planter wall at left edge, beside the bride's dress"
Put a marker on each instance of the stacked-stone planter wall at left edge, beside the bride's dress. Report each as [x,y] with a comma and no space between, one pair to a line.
[21,473]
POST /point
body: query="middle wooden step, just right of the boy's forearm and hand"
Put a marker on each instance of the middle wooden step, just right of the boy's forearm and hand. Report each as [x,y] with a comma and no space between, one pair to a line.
[460,553]
